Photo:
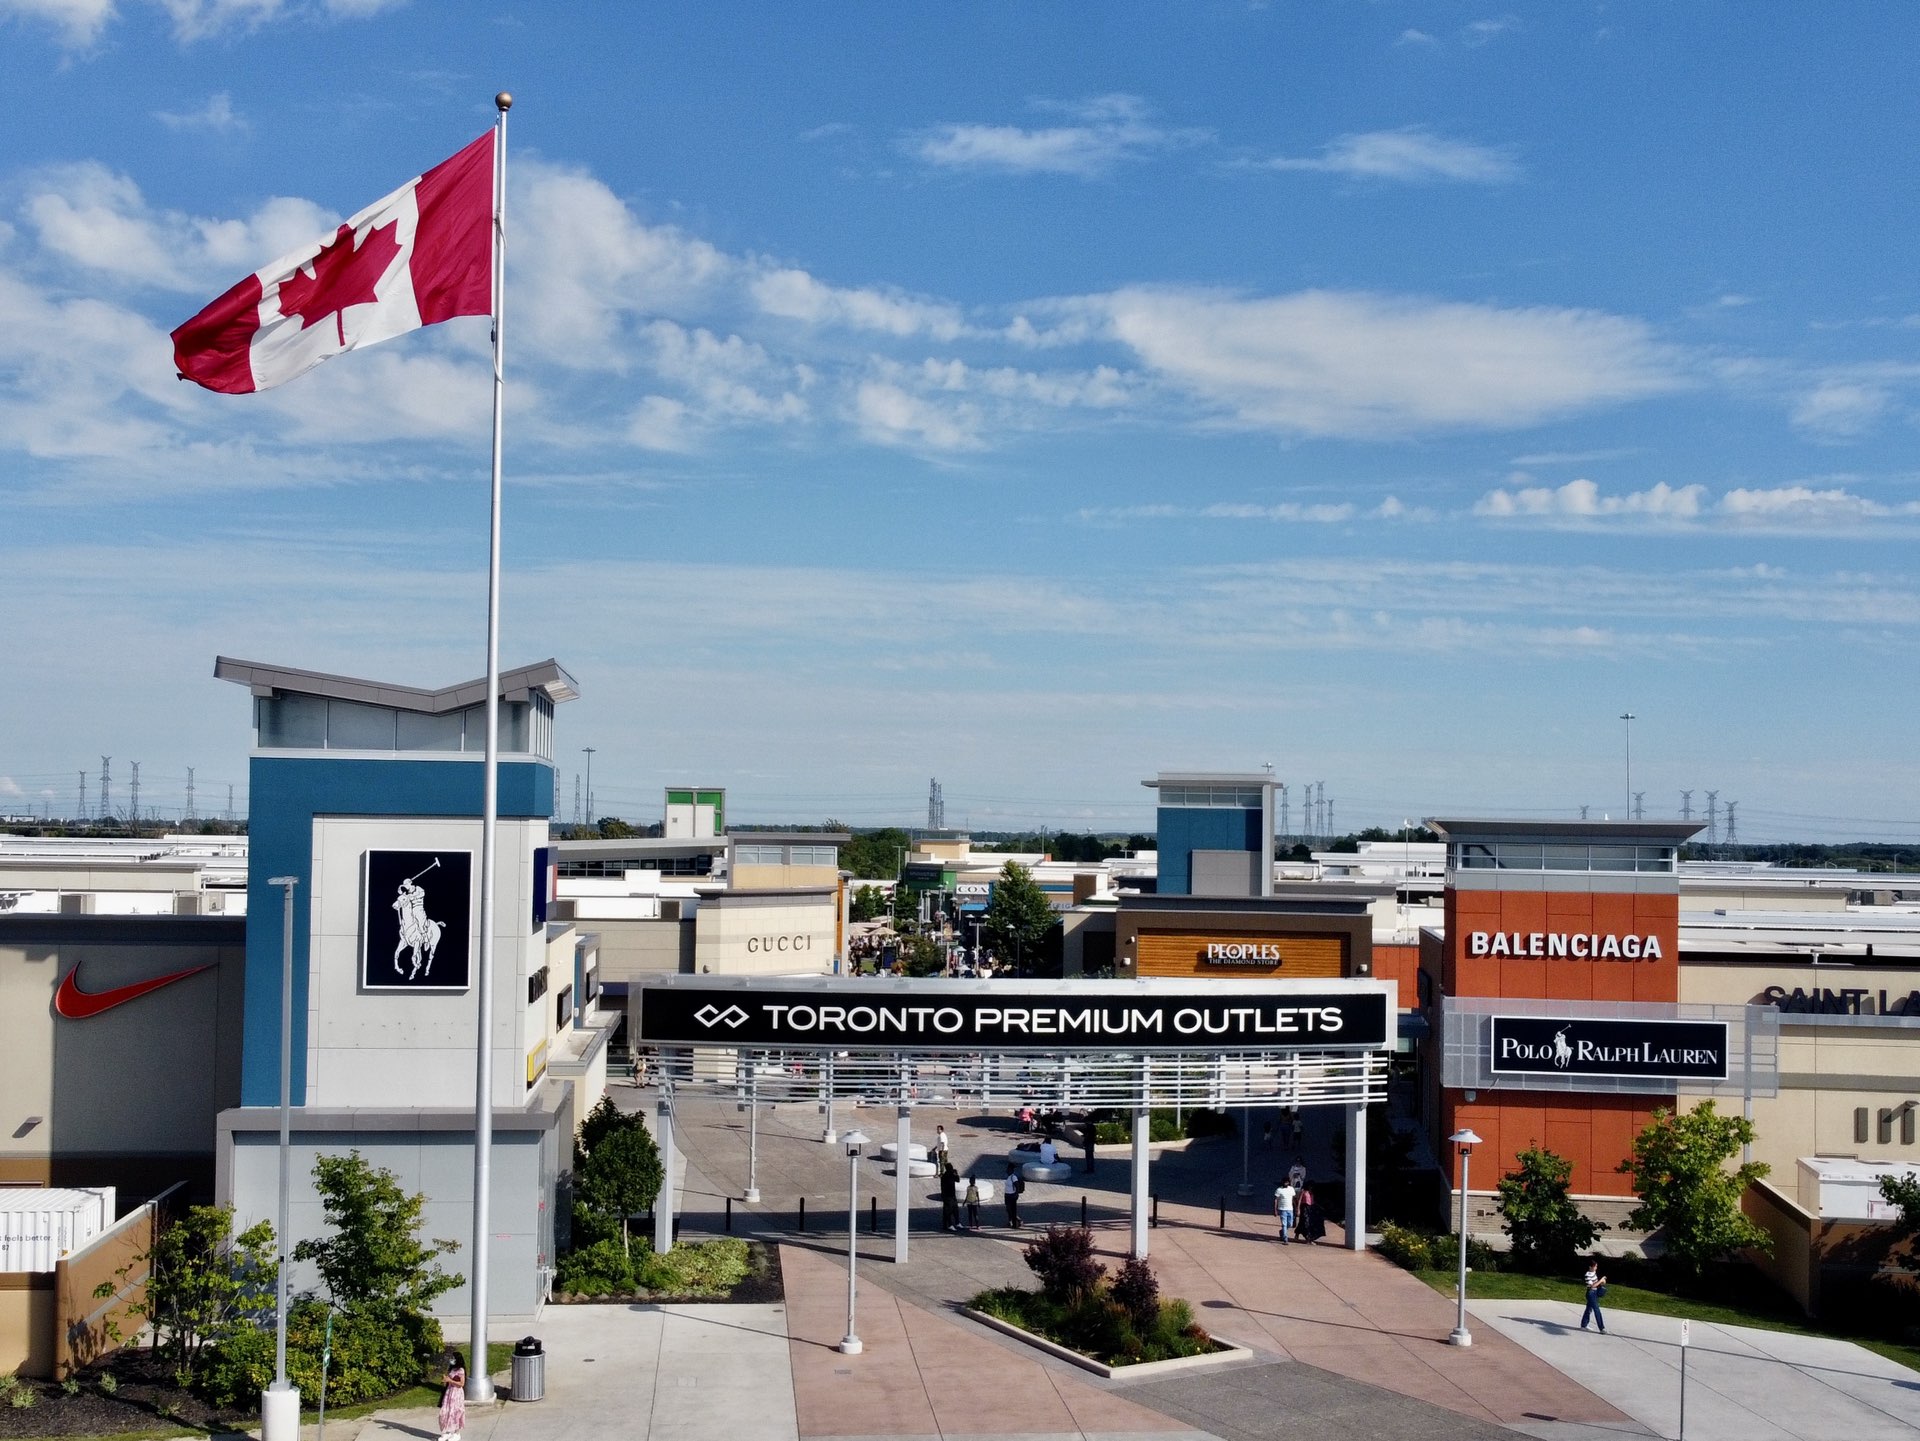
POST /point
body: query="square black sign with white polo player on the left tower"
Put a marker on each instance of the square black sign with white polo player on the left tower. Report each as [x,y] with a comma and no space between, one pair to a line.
[416,922]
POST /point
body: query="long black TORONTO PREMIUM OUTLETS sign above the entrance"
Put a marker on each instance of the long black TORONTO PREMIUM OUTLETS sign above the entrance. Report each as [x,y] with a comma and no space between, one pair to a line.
[863,1016]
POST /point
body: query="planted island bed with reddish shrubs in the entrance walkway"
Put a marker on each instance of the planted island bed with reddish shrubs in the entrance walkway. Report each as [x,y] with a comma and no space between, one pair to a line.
[1099,1323]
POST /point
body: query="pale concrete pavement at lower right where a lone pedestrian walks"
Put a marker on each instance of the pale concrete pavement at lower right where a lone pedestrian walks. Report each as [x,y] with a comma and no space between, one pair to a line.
[1742,1384]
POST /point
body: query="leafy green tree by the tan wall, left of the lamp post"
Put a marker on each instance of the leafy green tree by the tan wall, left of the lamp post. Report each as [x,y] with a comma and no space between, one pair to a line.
[204,1285]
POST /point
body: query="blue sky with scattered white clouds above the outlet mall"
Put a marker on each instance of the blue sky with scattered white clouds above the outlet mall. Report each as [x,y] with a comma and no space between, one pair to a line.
[1028,396]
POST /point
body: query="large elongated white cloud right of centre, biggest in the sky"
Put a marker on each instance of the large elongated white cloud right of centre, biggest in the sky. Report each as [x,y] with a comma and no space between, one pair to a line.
[1358,366]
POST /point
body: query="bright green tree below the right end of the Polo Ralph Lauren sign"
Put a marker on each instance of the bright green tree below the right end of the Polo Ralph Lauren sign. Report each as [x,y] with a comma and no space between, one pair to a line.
[1687,1189]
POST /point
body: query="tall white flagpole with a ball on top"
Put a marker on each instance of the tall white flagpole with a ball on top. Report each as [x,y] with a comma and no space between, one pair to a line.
[479,1382]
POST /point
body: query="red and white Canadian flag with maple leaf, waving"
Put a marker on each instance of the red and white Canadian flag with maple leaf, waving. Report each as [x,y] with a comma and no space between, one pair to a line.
[420,256]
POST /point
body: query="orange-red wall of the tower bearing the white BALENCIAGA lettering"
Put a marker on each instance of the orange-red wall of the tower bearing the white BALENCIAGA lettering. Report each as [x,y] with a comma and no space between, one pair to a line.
[1595,1131]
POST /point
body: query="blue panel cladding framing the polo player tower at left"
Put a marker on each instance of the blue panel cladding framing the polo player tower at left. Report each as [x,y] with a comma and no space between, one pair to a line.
[283,799]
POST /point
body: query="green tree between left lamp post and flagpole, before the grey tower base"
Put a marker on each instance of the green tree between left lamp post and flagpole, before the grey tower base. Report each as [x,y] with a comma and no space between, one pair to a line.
[375,1258]
